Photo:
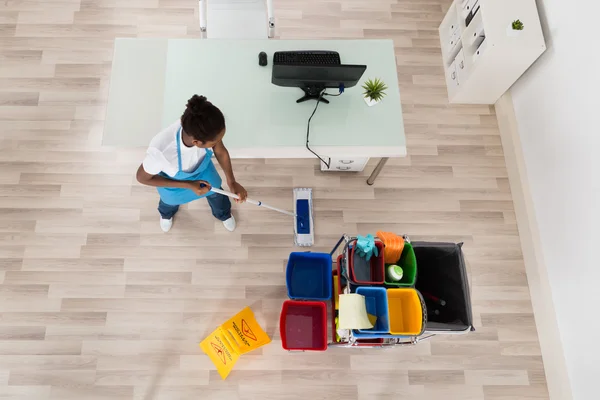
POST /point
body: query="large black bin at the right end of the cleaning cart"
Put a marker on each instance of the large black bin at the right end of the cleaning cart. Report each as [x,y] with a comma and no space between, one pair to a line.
[442,280]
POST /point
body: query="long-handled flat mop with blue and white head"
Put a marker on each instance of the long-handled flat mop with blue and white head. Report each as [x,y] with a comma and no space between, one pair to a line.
[303,227]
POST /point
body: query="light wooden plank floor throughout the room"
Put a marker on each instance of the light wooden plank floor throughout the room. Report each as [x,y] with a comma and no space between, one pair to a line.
[97,303]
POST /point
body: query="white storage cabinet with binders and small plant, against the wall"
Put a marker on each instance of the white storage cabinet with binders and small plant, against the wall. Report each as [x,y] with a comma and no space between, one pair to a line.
[484,58]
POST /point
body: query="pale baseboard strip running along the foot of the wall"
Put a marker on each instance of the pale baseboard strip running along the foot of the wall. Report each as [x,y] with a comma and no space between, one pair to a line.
[555,366]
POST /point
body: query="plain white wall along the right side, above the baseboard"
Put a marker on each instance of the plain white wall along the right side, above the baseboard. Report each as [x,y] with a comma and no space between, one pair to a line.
[557,106]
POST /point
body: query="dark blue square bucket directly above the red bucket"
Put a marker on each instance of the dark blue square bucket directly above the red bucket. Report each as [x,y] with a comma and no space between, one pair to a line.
[309,276]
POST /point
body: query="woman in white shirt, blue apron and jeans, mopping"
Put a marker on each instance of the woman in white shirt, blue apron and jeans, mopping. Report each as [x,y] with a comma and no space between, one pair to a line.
[178,163]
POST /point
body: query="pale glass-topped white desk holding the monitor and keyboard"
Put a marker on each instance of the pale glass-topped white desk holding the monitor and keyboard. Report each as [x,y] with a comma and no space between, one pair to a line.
[153,78]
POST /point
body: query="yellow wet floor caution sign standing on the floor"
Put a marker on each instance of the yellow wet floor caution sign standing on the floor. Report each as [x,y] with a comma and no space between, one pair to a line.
[235,337]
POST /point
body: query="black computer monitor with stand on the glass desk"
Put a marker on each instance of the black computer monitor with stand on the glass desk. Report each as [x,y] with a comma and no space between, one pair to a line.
[314,79]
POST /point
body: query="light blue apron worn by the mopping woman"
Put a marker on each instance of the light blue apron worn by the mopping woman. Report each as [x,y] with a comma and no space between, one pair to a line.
[206,171]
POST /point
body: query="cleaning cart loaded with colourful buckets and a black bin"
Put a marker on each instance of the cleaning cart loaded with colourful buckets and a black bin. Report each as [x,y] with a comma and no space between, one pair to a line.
[432,297]
